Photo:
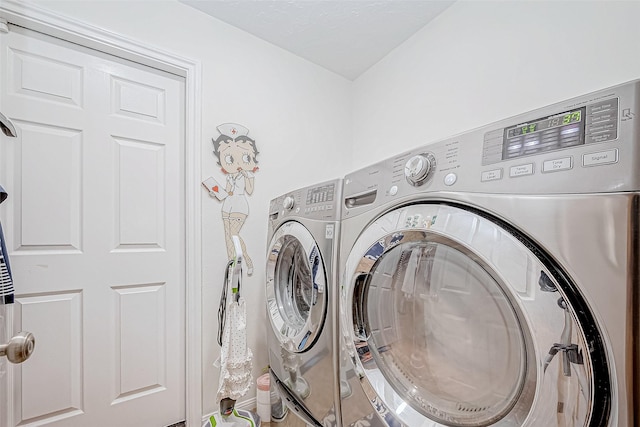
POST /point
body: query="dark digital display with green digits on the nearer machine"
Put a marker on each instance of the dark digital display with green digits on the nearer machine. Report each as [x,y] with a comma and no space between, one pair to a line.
[550,133]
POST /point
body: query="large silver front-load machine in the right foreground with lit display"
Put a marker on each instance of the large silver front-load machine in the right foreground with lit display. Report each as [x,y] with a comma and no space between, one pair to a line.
[492,278]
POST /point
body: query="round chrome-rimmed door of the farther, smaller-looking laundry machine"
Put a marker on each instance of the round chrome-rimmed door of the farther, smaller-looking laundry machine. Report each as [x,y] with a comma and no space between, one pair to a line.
[296,287]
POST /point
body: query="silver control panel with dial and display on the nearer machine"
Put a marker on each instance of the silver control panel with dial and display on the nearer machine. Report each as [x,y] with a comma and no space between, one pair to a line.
[588,144]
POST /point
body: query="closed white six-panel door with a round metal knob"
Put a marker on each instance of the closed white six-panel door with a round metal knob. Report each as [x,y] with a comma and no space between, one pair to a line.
[95,227]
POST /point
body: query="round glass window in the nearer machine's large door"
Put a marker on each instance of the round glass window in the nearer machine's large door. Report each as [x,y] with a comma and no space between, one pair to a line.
[445,332]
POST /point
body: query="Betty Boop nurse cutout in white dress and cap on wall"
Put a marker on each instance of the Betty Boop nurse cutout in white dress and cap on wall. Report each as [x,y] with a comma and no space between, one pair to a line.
[236,153]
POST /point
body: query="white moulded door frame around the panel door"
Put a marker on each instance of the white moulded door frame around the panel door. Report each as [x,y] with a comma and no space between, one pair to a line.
[43,21]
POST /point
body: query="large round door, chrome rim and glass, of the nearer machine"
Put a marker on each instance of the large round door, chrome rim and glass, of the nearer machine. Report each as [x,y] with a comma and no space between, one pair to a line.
[454,320]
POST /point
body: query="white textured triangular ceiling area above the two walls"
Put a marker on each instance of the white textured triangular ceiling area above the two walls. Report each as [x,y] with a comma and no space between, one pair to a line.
[343,36]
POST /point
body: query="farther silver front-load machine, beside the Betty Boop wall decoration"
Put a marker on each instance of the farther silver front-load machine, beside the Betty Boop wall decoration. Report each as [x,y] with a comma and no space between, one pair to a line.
[301,278]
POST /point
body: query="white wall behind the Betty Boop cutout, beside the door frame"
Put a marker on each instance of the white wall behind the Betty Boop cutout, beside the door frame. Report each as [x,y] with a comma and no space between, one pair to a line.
[291,107]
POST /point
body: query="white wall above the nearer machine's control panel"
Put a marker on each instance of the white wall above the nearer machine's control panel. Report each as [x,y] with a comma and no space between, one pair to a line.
[482,61]
